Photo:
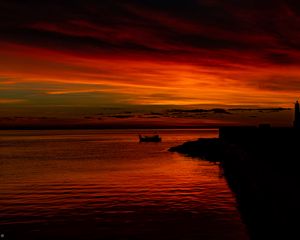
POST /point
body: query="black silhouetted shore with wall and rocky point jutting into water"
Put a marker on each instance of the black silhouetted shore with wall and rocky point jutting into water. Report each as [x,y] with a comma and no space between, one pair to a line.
[261,166]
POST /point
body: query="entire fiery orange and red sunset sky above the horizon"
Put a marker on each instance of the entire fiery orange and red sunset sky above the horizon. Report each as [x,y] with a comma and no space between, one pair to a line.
[150,61]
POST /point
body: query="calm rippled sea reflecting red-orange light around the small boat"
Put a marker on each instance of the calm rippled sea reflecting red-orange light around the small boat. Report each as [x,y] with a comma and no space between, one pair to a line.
[105,185]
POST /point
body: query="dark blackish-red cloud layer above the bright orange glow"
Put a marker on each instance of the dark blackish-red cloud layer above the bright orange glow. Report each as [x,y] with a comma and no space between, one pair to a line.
[185,30]
